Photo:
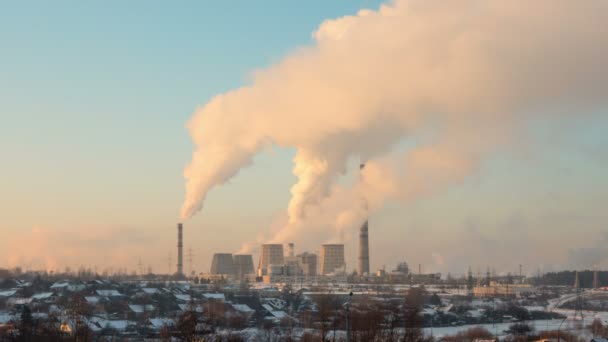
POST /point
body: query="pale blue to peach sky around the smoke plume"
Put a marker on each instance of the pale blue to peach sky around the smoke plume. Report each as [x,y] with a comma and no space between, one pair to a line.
[94,102]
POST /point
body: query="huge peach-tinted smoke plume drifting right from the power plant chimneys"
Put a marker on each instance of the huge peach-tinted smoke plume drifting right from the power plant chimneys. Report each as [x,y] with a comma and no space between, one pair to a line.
[455,79]
